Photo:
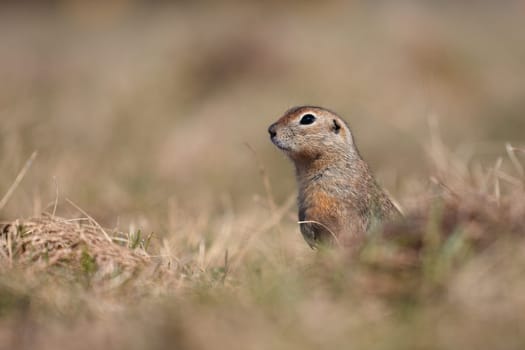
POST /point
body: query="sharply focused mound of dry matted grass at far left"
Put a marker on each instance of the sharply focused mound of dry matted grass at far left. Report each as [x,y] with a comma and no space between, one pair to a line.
[49,242]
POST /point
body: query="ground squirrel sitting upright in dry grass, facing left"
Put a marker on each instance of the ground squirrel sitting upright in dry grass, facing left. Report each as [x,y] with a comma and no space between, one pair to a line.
[339,200]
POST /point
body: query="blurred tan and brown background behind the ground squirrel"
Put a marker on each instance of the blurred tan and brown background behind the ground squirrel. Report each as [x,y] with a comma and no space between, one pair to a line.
[136,105]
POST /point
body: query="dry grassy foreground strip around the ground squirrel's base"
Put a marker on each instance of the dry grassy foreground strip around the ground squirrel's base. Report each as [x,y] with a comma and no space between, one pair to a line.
[450,277]
